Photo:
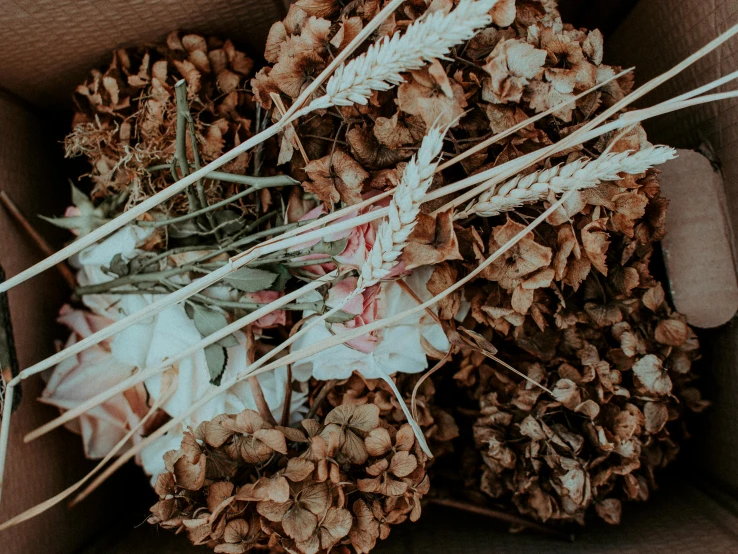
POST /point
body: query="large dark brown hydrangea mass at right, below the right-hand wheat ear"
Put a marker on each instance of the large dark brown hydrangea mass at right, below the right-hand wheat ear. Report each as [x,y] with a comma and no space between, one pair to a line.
[576,309]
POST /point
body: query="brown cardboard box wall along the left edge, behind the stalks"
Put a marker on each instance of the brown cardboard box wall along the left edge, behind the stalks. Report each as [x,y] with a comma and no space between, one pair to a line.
[41,469]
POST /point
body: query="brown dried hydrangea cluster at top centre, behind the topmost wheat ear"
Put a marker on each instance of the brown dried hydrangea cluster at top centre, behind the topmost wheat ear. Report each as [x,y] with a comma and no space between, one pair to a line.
[524,64]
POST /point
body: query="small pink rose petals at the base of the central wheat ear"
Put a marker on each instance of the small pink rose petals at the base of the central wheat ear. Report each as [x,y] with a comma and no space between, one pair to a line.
[365,308]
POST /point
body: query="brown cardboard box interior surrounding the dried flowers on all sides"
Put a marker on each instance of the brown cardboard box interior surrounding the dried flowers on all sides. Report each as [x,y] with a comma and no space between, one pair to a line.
[48,48]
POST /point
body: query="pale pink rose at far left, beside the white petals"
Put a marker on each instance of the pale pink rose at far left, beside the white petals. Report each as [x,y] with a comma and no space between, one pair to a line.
[91,372]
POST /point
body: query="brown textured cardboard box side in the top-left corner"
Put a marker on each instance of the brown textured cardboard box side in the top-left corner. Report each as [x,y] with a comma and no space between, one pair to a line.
[48,47]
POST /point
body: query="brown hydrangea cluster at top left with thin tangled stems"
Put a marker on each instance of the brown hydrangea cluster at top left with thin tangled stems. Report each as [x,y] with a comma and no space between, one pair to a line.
[126,116]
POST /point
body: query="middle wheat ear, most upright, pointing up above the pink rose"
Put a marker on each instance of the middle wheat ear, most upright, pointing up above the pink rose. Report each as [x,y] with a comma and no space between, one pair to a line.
[394,232]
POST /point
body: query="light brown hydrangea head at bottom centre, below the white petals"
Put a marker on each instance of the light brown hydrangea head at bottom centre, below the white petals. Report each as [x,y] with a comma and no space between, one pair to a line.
[238,483]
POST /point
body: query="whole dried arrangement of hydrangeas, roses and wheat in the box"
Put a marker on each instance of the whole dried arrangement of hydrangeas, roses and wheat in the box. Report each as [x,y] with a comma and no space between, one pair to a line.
[257,343]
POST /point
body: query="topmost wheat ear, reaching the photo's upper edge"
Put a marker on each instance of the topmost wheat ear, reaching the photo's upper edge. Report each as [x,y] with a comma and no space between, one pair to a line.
[381,67]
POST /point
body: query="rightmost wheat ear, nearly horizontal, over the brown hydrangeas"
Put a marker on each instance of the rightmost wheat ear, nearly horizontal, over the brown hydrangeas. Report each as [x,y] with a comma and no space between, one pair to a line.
[577,175]
